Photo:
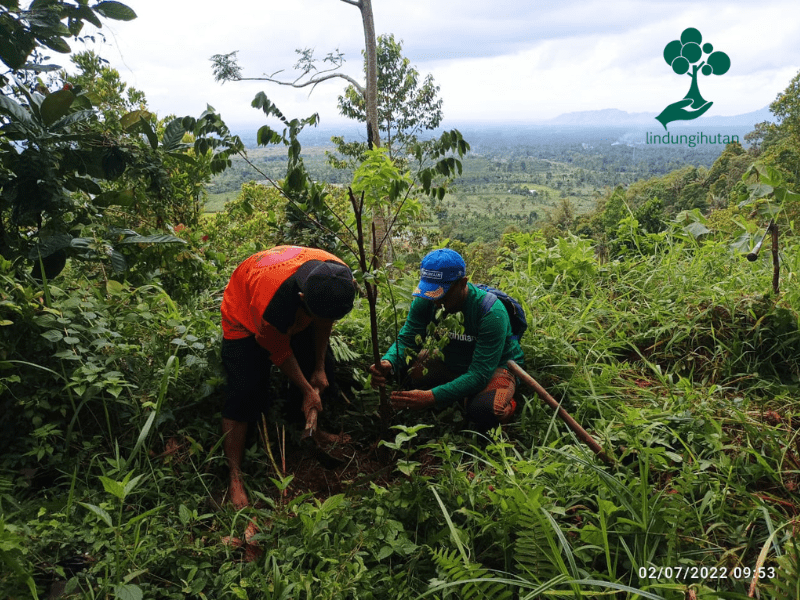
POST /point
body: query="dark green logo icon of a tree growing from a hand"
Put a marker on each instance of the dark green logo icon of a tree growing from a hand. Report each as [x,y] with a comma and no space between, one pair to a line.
[685,57]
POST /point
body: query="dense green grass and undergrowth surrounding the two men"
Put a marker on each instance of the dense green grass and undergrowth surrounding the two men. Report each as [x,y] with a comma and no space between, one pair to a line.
[680,362]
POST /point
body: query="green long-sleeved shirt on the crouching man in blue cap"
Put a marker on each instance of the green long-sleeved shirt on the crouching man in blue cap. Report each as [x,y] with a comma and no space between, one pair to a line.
[485,345]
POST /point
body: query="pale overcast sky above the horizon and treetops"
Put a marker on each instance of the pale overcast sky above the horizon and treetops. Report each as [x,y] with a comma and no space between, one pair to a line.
[495,60]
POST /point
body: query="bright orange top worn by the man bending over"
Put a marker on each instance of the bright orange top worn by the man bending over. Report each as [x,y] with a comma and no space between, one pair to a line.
[252,288]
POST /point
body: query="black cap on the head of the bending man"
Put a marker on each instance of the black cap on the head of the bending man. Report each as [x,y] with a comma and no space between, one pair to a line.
[328,290]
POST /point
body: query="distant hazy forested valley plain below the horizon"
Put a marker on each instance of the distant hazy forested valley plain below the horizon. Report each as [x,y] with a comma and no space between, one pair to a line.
[513,175]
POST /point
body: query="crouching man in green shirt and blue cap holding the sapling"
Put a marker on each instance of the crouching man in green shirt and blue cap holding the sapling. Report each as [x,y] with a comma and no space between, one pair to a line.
[473,370]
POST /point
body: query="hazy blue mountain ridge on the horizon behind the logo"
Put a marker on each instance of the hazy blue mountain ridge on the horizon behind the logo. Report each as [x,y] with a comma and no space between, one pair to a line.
[613,117]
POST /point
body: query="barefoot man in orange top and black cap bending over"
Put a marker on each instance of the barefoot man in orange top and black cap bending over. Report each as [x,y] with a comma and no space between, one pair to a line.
[279,306]
